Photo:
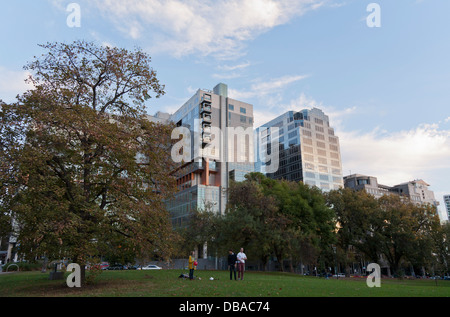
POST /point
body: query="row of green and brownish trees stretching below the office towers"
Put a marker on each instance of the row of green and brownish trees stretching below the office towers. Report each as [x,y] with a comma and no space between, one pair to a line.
[302,225]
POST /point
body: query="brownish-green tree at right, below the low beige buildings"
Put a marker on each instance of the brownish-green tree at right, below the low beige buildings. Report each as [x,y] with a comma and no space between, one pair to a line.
[391,227]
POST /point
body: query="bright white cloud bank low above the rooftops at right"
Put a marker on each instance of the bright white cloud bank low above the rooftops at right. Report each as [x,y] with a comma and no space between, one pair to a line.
[420,153]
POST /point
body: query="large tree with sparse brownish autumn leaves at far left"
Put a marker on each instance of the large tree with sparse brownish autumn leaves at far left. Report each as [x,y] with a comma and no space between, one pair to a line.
[91,168]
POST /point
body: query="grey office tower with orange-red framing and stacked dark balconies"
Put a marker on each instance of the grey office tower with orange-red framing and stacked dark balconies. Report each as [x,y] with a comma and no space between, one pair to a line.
[219,148]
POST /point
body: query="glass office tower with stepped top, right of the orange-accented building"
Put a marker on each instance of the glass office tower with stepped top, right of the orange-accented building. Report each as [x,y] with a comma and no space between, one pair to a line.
[309,150]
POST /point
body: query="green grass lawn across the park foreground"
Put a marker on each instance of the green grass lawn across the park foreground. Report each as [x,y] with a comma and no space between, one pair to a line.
[165,283]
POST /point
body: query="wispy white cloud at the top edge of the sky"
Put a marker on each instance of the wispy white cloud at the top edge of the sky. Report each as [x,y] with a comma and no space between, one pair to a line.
[203,27]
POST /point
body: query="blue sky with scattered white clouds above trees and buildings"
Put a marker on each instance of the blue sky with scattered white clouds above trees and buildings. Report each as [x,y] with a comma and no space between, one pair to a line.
[386,90]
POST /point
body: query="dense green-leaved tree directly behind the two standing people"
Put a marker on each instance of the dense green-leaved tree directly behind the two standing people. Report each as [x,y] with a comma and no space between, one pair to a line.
[276,217]
